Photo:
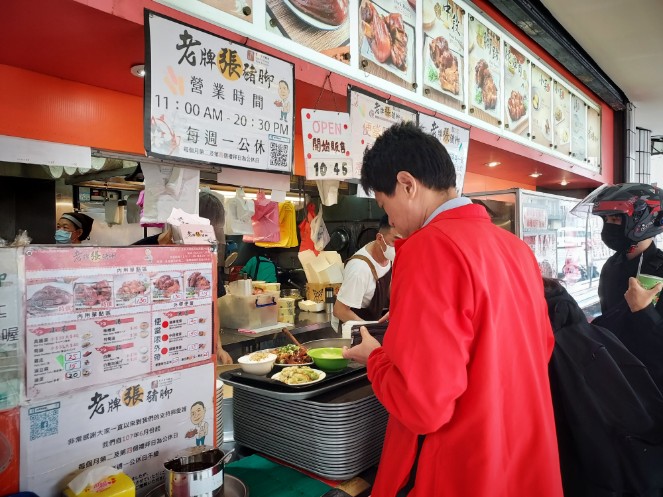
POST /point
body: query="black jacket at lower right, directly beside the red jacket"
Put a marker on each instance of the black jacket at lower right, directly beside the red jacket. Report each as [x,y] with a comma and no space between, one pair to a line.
[609,412]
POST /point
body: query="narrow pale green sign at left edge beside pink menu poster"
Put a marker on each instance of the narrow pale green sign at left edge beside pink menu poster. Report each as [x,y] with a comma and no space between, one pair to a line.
[11,328]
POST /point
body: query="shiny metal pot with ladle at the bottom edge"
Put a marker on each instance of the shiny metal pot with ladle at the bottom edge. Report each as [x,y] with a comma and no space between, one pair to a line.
[196,472]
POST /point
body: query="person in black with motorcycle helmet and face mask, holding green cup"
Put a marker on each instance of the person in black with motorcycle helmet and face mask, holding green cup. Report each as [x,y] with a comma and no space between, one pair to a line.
[632,217]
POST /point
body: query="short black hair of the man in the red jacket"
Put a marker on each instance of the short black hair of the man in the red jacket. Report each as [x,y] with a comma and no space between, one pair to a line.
[406,147]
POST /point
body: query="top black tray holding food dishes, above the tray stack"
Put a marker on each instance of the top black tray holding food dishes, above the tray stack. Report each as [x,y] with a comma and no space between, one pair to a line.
[265,385]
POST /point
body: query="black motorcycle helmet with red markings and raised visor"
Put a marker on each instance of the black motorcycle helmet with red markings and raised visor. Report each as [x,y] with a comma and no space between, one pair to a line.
[639,204]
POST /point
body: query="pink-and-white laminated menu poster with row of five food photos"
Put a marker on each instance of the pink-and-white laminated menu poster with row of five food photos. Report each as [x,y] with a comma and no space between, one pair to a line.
[101,314]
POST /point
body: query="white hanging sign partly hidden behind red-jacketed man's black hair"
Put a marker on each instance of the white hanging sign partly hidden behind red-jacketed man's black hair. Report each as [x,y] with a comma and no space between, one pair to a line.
[370,117]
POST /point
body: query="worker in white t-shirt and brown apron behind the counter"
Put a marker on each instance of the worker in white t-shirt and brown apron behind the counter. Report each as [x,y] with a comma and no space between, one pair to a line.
[364,293]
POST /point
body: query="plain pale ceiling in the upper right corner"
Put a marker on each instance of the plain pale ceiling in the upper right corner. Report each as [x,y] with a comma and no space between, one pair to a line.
[625,39]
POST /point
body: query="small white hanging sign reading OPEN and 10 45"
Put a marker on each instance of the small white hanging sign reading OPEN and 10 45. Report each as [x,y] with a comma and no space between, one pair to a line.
[326,136]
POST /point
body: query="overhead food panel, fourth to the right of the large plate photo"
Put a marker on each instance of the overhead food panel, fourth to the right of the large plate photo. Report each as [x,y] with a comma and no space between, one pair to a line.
[516,91]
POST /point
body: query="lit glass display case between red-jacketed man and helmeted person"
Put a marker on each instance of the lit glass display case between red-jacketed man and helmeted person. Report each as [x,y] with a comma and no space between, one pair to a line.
[567,247]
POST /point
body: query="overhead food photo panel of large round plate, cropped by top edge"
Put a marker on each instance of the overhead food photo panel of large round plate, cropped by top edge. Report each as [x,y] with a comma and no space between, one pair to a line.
[325,30]
